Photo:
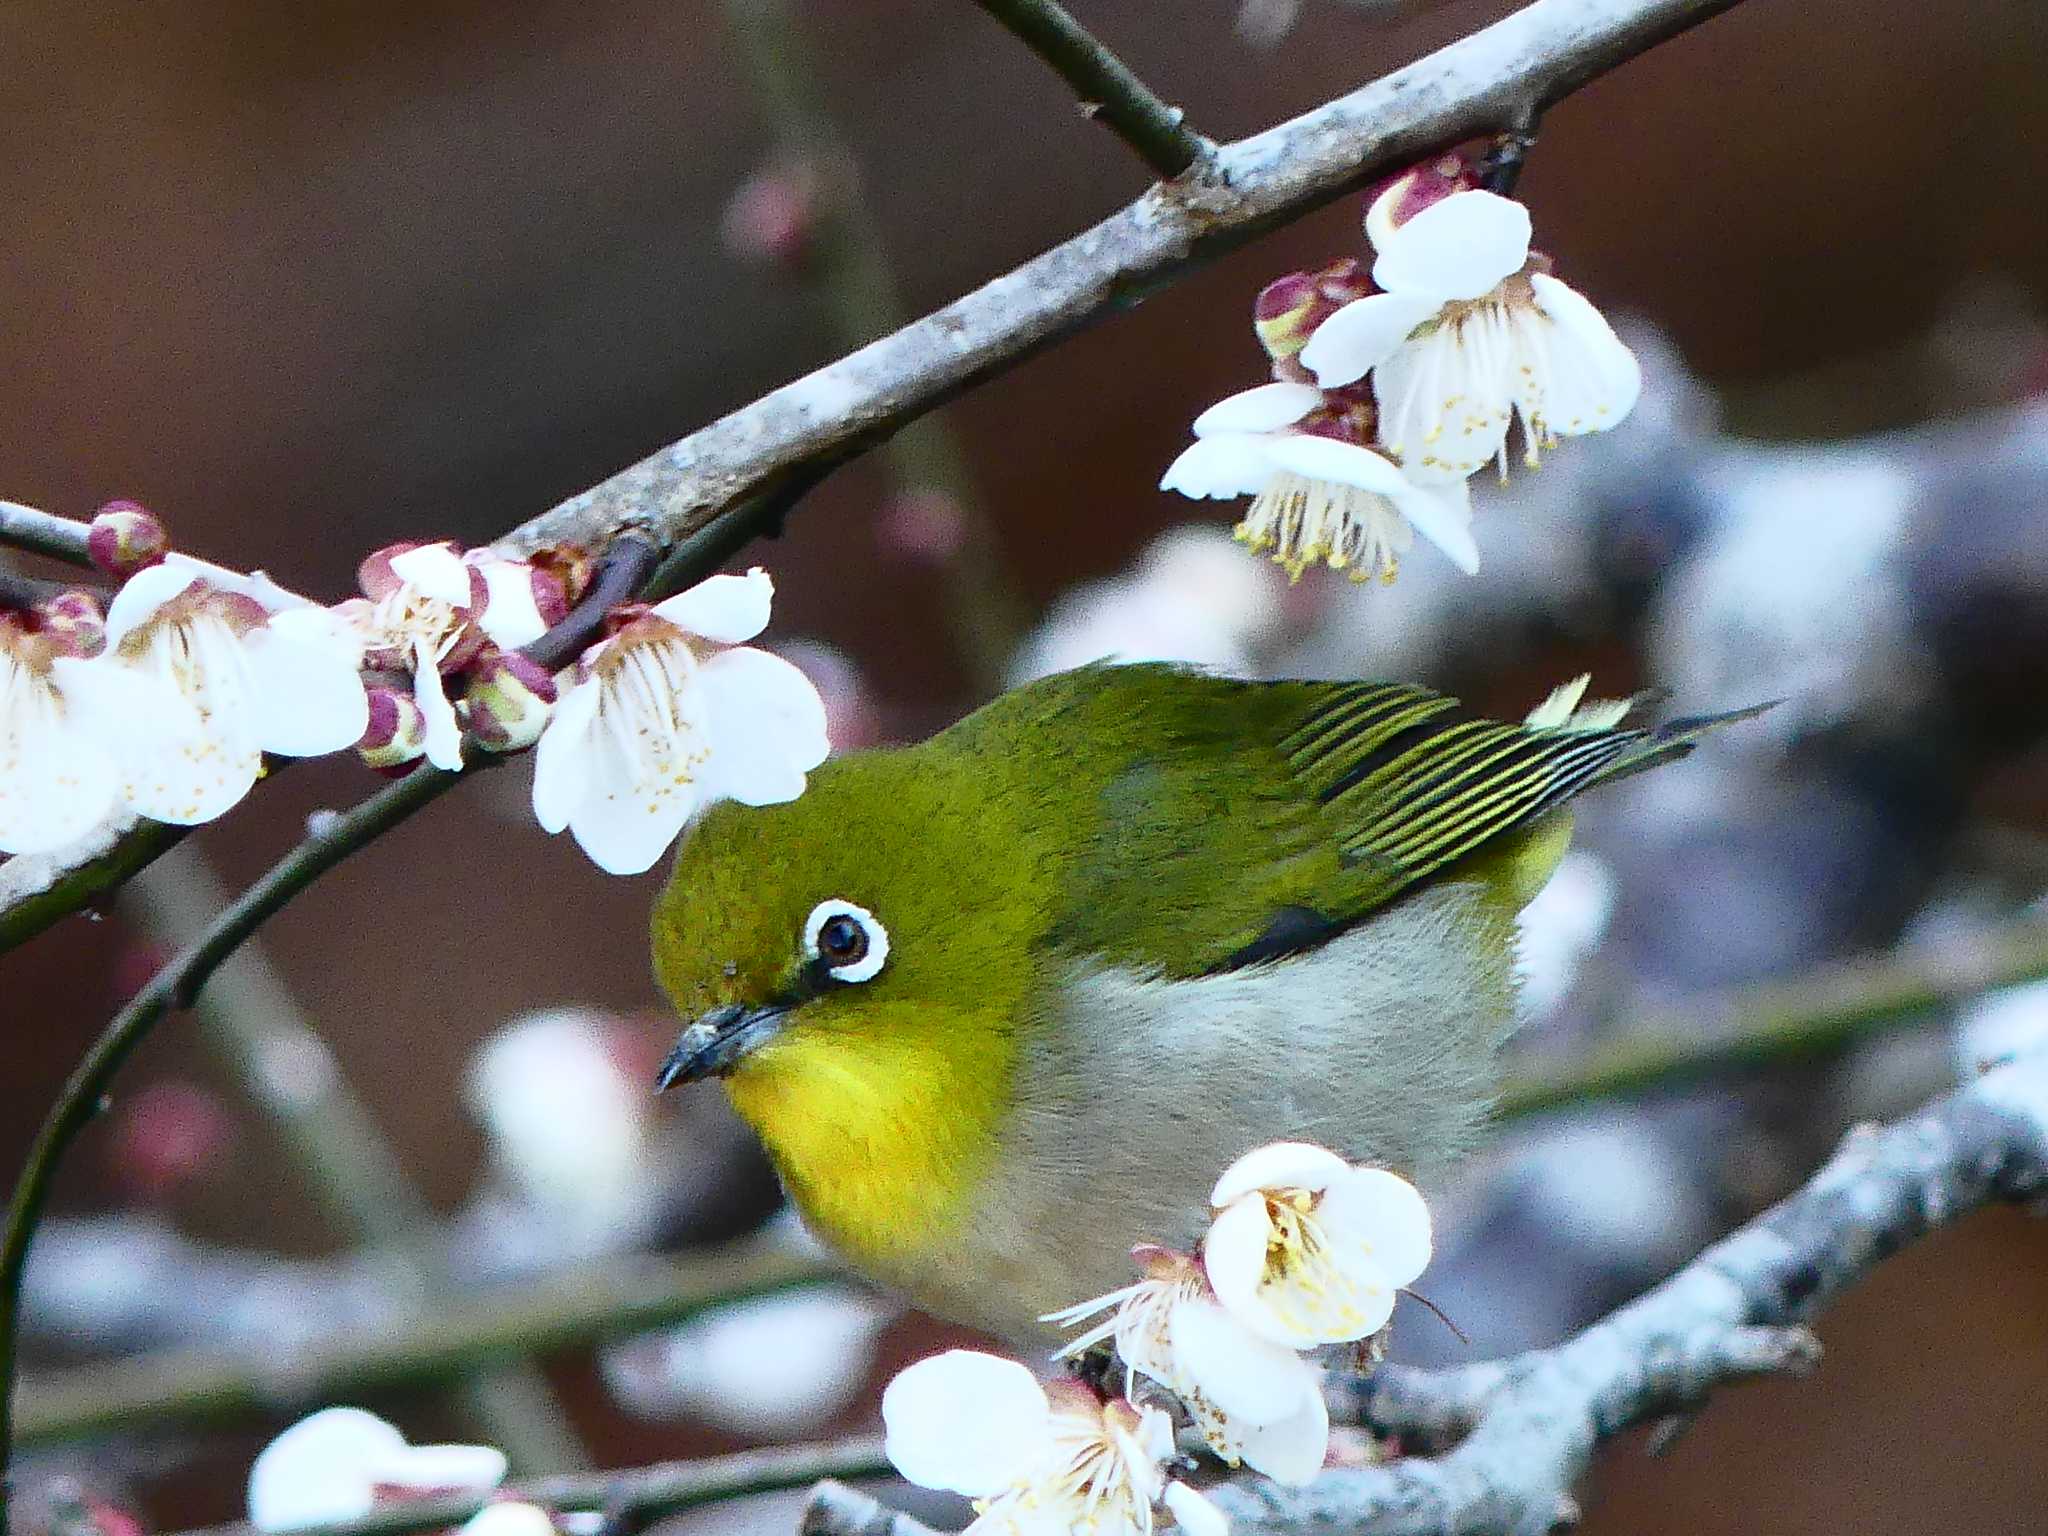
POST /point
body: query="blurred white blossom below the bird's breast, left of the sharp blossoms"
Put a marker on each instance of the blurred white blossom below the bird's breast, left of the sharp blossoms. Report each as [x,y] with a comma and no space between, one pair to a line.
[769,1367]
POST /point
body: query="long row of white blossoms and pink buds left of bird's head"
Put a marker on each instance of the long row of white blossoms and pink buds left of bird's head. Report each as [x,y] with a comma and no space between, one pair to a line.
[167,703]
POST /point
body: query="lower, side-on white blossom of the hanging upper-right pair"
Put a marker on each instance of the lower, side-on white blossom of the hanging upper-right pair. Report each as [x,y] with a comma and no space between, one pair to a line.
[1318,490]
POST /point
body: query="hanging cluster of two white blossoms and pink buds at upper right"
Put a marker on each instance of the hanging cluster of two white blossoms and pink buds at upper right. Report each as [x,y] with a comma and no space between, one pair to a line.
[1392,390]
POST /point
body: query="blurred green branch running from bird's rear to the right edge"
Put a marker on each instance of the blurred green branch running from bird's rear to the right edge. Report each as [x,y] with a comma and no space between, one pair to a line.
[1818,1015]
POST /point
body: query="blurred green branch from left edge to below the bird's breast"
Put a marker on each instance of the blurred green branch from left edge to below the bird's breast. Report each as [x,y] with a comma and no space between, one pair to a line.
[605,1302]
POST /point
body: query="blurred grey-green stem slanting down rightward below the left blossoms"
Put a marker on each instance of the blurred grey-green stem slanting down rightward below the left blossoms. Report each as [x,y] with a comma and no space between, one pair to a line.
[255,1025]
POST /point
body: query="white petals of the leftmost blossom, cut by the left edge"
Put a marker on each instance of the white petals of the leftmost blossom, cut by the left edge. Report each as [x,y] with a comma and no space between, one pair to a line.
[56,779]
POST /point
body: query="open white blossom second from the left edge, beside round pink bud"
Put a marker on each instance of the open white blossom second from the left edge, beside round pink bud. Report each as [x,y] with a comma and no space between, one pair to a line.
[234,669]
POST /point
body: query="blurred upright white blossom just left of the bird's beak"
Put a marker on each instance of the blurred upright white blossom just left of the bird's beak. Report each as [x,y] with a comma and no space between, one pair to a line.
[568,1127]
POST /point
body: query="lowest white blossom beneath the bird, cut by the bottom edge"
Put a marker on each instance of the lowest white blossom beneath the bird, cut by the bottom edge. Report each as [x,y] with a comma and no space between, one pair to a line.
[1035,1463]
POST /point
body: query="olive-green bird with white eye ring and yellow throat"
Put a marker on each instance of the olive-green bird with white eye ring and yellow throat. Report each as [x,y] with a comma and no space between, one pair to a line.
[1007,1002]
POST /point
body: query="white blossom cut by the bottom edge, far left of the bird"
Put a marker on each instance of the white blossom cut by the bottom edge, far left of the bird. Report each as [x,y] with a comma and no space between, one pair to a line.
[339,1463]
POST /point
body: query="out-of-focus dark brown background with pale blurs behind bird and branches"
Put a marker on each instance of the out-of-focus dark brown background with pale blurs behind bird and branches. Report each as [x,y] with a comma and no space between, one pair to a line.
[308,280]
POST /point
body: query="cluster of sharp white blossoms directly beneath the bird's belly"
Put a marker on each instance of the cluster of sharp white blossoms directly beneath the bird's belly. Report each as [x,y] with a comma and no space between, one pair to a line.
[1304,1252]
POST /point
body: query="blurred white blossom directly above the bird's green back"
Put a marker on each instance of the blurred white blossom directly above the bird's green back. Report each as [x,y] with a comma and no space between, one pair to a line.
[1189,599]
